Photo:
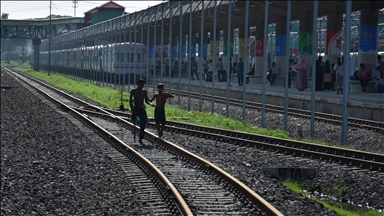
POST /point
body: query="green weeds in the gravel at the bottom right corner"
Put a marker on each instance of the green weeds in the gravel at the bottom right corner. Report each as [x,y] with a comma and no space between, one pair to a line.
[340,208]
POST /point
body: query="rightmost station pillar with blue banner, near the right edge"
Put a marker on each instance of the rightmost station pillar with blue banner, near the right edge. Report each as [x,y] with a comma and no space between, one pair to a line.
[368,44]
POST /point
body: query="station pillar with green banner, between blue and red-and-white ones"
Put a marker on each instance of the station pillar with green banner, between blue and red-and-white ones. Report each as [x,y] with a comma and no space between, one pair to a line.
[305,43]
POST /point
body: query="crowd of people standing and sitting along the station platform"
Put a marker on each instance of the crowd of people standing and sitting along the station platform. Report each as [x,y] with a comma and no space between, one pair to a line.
[329,76]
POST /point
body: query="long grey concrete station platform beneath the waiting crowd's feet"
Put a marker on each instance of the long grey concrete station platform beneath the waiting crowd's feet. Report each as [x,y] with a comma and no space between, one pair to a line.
[364,105]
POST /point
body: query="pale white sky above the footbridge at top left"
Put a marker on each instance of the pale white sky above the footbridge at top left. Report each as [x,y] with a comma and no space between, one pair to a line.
[40,9]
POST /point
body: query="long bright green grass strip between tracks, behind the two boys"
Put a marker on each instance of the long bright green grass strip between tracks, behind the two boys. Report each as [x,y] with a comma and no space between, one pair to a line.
[111,99]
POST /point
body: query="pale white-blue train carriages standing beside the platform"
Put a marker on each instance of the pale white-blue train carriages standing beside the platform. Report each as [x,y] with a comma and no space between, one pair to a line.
[110,60]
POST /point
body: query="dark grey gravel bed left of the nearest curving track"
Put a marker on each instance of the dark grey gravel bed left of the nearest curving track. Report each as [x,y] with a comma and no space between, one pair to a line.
[48,166]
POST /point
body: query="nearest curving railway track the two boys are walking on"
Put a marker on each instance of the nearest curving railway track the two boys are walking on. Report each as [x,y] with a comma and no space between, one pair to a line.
[205,187]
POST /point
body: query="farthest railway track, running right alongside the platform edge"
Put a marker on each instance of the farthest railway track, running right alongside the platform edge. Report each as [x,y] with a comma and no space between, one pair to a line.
[324,117]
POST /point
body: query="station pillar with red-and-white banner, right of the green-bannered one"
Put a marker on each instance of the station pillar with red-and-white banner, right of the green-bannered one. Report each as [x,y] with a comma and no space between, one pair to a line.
[333,37]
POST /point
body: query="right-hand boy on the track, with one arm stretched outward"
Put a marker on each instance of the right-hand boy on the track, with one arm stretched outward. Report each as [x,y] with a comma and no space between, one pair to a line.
[161,99]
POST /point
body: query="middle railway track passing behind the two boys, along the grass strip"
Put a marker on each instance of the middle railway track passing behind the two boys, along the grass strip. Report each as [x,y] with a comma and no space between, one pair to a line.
[350,157]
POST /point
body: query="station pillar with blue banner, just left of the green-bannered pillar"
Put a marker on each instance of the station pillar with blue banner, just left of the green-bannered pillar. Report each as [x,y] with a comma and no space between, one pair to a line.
[280,47]
